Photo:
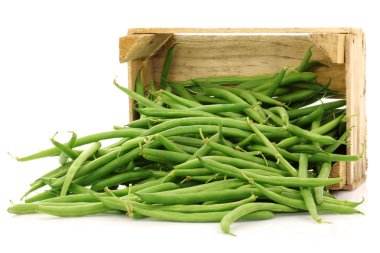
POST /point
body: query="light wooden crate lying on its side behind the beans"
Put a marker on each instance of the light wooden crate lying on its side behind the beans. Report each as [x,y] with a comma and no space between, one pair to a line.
[246,51]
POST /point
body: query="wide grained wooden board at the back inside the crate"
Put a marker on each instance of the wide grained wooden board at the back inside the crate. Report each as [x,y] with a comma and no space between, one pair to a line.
[205,56]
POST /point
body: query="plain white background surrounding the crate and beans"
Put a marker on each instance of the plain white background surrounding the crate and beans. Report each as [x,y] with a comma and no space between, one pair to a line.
[57,63]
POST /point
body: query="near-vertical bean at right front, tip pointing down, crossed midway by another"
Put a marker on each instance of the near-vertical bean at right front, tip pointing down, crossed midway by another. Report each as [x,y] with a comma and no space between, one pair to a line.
[306,192]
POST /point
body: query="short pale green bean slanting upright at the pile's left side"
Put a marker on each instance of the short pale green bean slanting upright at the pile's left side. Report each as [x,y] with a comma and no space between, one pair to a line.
[77,163]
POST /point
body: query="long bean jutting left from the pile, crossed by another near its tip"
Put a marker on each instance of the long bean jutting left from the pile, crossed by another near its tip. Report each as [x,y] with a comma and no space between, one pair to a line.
[132,132]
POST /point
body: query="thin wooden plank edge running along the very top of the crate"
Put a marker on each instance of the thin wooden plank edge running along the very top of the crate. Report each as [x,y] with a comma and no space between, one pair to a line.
[343,30]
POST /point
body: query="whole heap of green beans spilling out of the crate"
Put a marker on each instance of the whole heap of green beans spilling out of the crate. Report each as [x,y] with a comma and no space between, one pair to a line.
[217,149]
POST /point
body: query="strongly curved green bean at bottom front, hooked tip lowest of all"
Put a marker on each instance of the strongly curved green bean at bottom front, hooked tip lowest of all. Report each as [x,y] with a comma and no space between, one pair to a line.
[245,209]
